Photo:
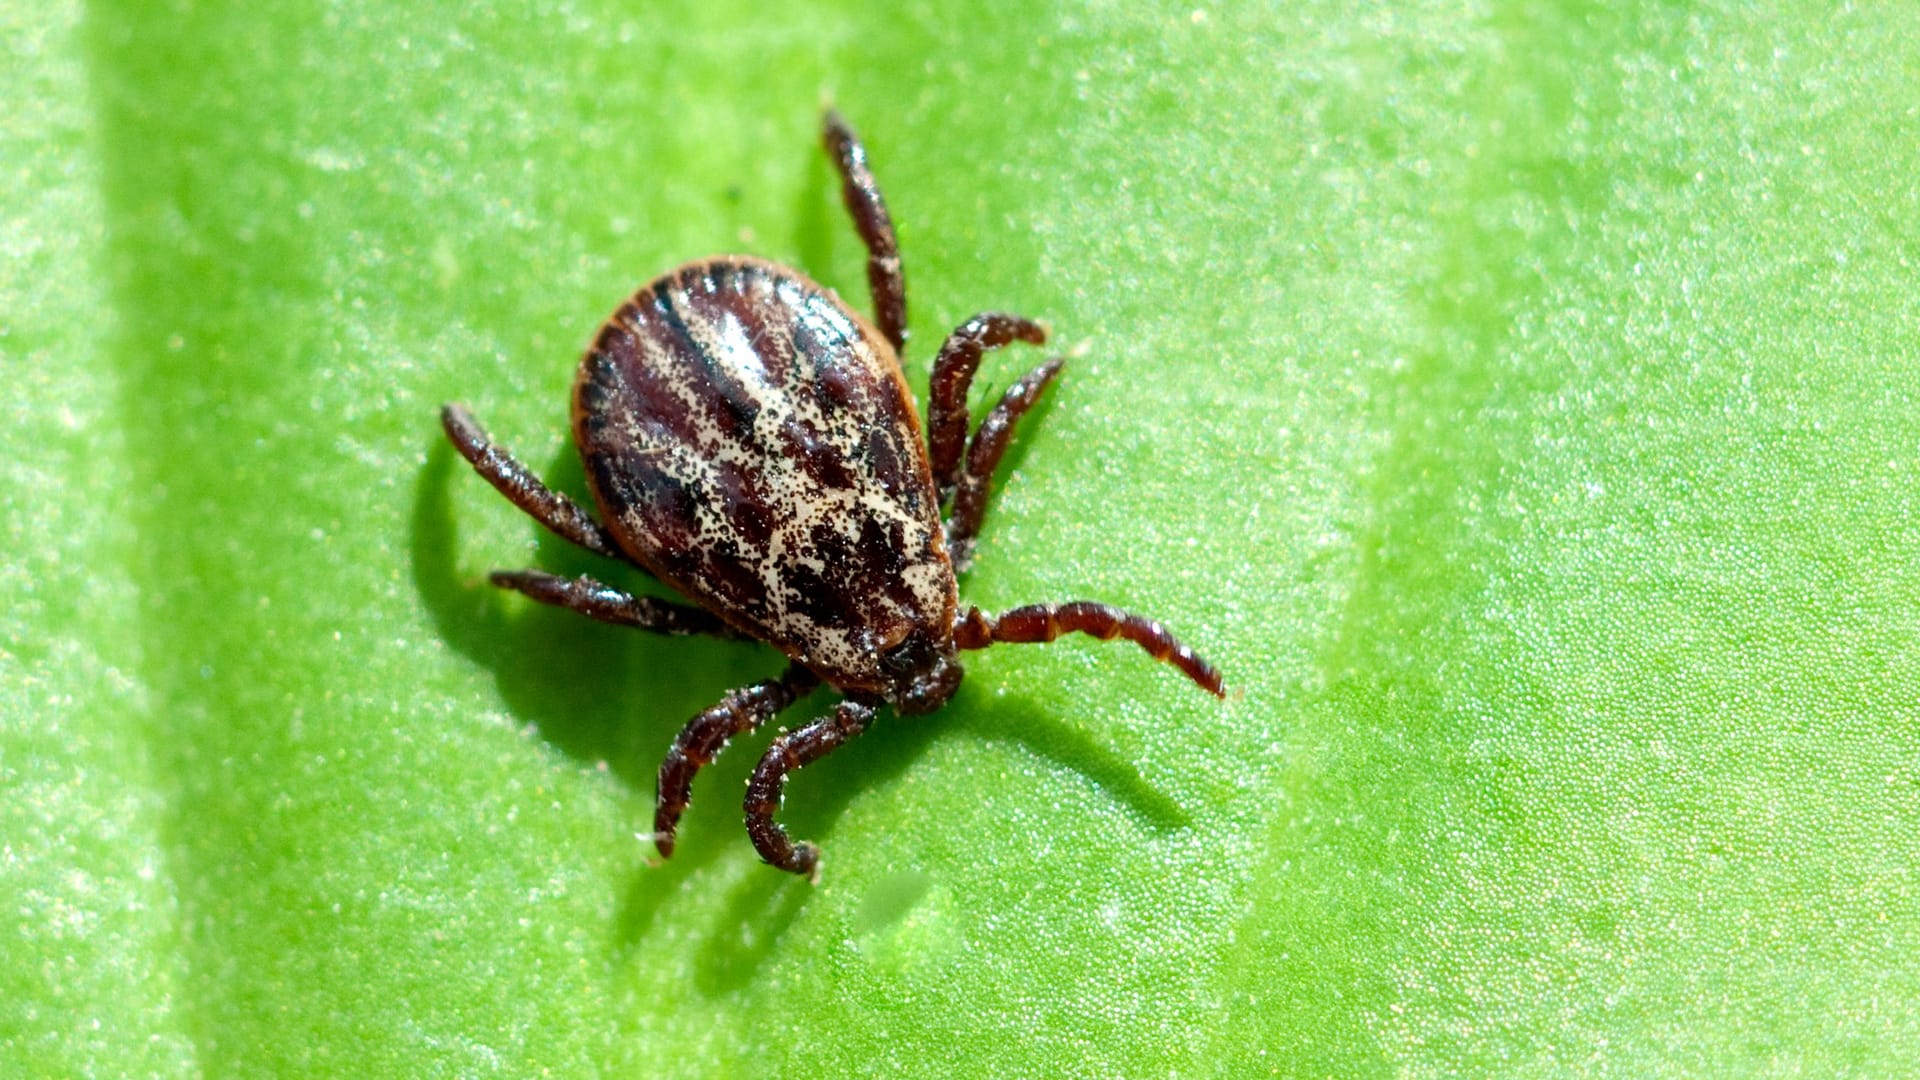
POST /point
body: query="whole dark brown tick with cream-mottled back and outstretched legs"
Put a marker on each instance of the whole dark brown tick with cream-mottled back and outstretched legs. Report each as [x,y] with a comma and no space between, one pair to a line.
[752,443]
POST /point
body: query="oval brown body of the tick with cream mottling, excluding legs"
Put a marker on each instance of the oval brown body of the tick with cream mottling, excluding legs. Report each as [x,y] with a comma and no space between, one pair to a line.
[754,443]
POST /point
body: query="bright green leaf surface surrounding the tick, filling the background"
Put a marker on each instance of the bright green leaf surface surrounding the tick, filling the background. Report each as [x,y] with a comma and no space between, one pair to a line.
[1516,401]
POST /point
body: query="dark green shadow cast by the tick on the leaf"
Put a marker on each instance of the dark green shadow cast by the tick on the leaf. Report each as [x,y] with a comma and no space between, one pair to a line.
[606,695]
